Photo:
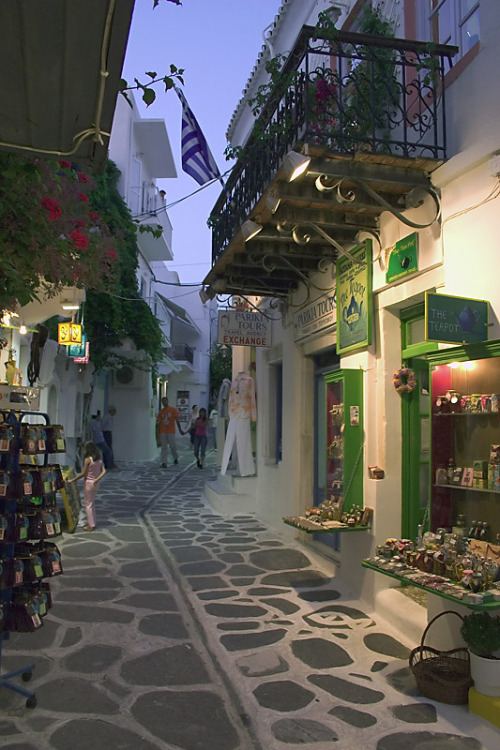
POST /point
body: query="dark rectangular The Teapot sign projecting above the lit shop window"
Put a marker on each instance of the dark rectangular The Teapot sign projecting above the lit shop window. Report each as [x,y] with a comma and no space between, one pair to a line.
[455,320]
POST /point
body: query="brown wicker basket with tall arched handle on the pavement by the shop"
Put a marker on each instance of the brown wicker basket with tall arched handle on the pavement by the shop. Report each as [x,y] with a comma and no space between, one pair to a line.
[441,675]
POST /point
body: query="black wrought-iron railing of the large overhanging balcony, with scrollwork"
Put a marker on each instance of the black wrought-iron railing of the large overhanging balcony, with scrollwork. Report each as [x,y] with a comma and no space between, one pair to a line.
[354,93]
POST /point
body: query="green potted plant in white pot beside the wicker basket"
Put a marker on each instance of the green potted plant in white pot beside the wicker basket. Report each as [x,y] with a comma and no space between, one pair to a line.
[481,632]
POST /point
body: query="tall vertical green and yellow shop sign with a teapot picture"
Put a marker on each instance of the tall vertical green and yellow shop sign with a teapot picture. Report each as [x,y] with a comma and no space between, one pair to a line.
[354,299]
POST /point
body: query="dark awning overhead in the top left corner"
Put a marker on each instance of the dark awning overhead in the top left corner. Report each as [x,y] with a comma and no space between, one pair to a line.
[61,66]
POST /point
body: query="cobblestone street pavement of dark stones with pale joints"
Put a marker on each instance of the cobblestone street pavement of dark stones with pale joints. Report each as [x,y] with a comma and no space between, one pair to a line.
[173,627]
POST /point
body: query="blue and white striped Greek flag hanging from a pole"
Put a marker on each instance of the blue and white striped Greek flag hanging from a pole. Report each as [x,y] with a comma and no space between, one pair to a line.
[197,159]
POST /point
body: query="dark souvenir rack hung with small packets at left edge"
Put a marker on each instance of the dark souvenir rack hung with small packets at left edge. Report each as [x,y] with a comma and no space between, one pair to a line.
[28,519]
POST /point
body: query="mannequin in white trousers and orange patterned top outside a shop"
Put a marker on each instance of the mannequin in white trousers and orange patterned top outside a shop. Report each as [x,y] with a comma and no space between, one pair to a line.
[241,409]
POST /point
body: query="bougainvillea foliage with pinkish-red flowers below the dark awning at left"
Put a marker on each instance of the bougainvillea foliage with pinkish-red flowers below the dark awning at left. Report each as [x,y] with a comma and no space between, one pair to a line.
[50,237]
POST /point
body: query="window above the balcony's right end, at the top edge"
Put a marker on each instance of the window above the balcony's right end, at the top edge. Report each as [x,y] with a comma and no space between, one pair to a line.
[452,22]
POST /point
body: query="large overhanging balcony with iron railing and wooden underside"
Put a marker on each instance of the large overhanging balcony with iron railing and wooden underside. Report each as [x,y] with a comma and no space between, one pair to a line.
[365,116]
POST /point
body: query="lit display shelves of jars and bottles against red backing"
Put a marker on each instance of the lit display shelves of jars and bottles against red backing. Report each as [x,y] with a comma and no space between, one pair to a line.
[465,440]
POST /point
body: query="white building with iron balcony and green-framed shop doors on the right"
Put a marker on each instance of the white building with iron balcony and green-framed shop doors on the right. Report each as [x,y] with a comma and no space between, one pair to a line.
[437,222]
